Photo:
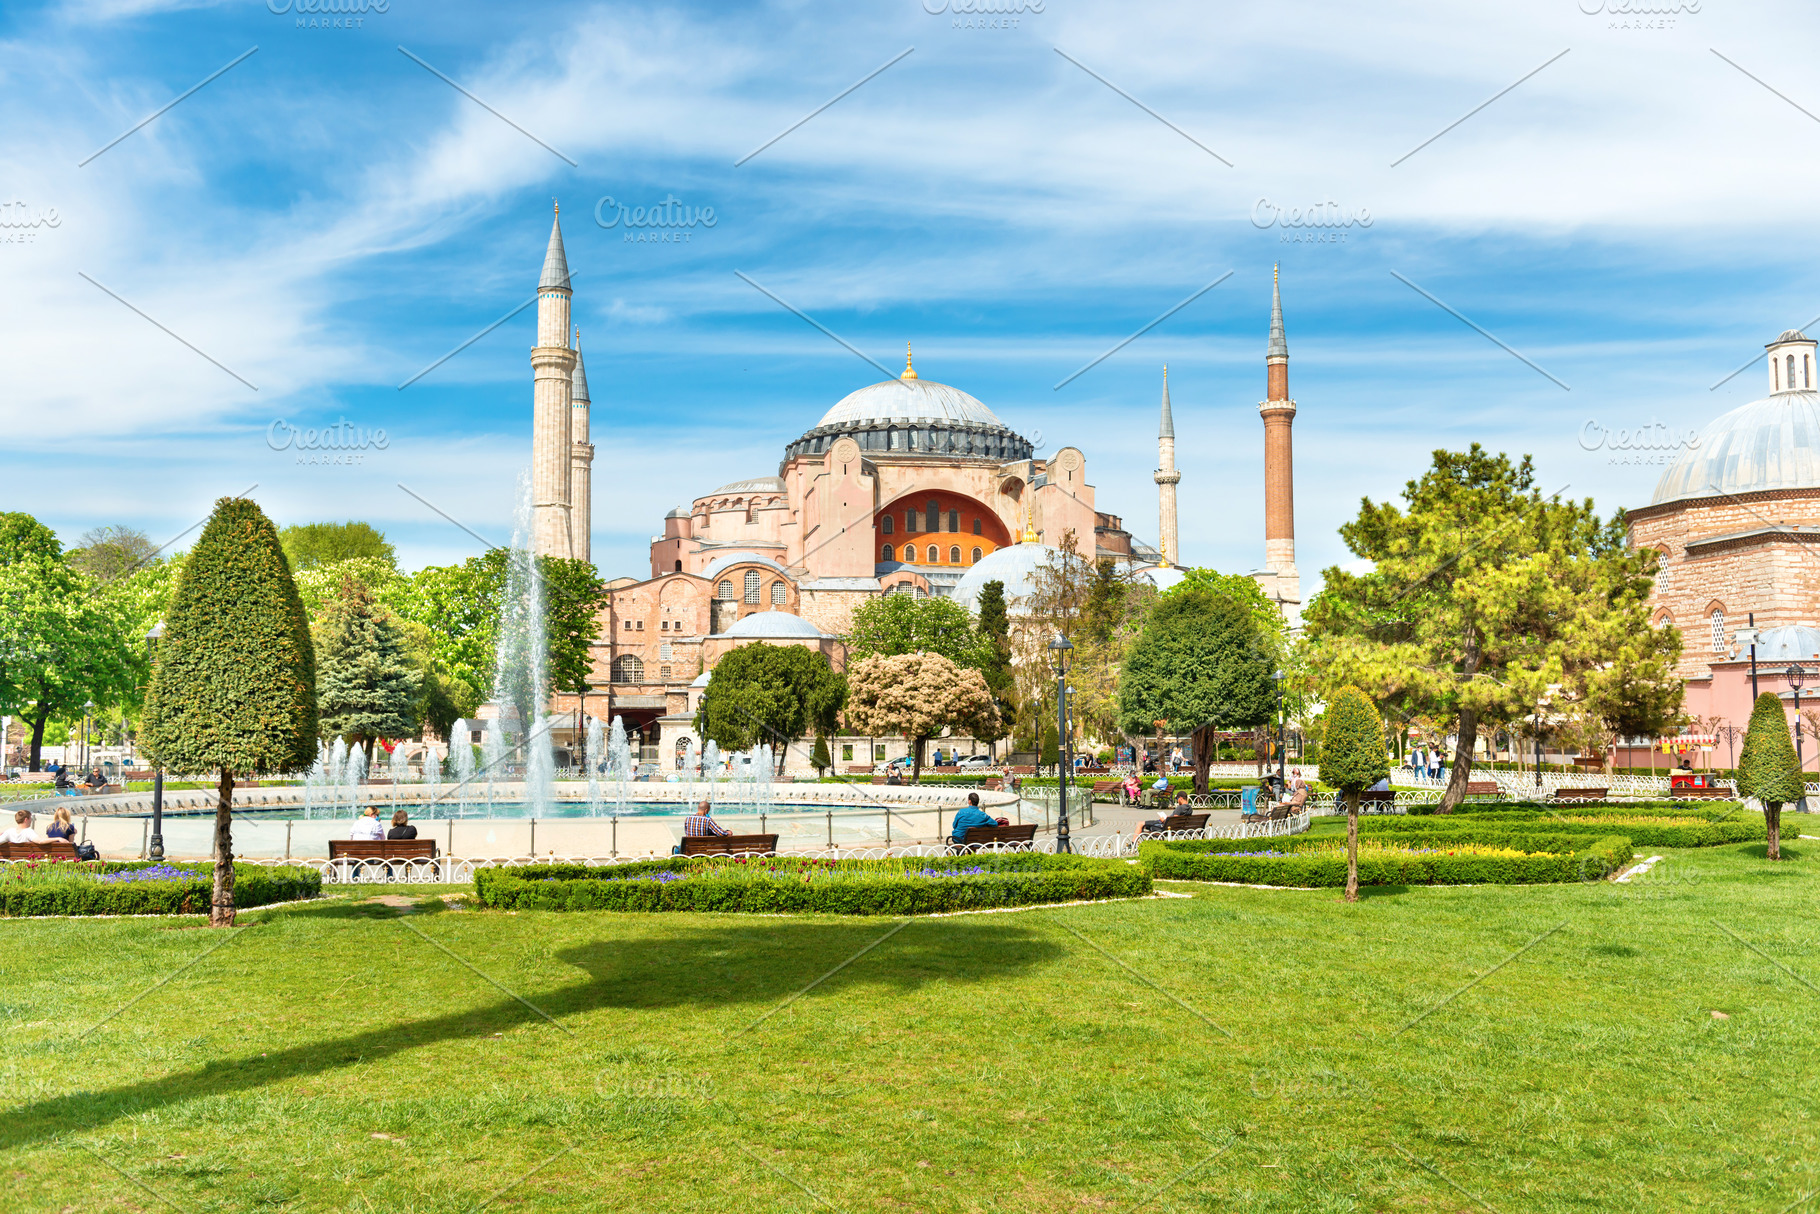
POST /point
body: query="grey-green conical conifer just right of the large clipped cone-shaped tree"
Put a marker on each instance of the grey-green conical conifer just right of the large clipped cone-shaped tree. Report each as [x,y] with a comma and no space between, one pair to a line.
[367,678]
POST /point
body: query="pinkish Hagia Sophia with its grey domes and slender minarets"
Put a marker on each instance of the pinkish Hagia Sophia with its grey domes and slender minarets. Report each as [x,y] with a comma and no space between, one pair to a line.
[902,487]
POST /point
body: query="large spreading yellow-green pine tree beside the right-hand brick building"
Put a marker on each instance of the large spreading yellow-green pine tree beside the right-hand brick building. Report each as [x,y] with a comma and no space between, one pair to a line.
[1488,602]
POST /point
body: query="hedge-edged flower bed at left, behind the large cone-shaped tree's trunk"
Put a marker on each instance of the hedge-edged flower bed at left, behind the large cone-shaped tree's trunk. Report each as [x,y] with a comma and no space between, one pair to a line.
[141,887]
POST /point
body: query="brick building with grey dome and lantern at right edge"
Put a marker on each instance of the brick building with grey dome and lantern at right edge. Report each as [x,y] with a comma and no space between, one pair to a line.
[1737,521]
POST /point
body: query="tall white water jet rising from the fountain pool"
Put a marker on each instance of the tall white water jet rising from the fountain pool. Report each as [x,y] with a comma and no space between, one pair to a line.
[521,660]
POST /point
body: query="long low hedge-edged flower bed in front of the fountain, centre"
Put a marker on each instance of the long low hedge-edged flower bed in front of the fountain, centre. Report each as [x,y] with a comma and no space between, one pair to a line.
[784,884]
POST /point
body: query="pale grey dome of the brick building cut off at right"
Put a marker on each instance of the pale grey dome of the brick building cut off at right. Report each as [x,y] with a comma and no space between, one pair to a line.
[1761,447]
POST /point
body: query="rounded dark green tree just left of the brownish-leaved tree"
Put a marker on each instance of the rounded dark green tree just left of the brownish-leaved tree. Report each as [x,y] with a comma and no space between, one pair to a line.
[769,694]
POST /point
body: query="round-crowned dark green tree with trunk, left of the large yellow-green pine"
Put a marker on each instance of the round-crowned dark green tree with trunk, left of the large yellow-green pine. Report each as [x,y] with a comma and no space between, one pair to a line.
[1200,665]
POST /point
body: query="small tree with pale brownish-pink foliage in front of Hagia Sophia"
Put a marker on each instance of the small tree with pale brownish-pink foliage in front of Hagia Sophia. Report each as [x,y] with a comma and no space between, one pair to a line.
[918,696]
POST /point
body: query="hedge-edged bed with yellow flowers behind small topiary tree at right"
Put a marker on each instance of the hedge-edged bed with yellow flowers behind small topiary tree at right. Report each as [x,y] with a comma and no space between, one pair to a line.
[1419,860]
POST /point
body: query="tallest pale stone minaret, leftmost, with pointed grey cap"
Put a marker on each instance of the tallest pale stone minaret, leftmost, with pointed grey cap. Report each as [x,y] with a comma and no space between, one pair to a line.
[552,370]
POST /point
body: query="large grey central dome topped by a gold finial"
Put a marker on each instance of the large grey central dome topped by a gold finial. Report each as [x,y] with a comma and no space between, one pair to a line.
[915,416]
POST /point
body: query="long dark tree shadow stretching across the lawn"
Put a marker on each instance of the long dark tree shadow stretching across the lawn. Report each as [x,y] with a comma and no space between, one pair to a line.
[747,966]
